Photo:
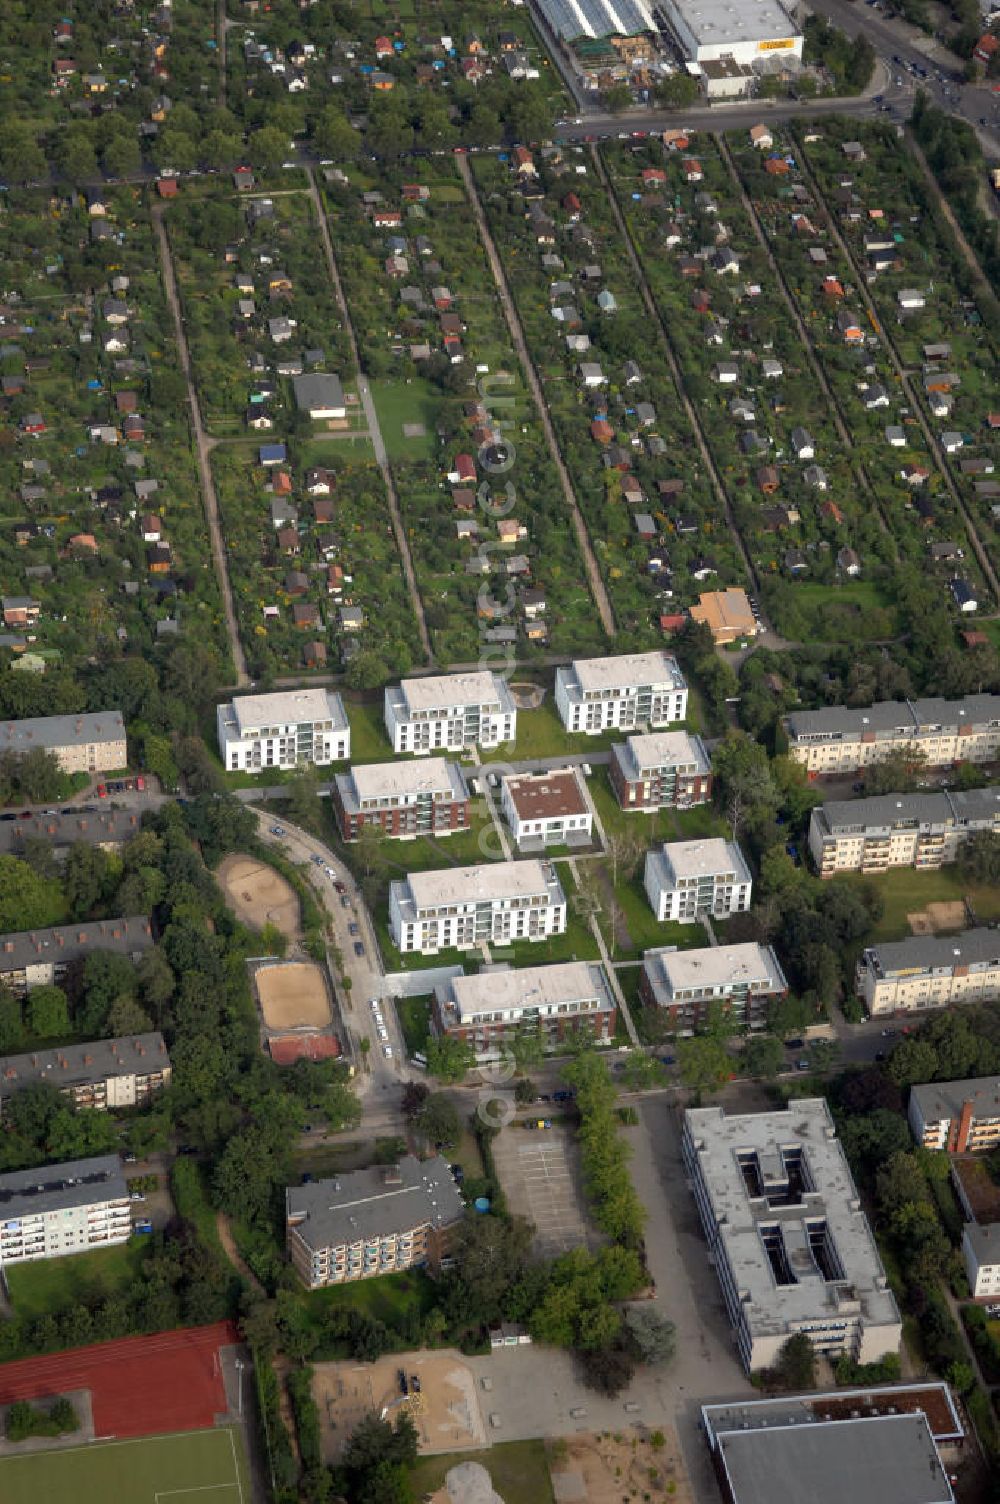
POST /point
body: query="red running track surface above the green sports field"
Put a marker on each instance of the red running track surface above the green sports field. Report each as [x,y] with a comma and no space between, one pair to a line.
[139,1386]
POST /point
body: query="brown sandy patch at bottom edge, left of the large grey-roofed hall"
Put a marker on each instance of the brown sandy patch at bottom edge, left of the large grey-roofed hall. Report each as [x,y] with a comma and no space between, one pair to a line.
[611,1467]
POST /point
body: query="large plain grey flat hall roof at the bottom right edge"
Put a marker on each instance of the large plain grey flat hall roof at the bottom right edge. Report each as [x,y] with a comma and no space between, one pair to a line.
[871,1460]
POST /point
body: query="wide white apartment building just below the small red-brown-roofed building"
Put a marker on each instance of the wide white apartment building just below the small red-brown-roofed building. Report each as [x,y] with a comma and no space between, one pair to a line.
[459,908]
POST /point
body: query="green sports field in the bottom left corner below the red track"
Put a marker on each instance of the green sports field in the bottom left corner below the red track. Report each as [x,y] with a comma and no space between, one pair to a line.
[196,1467]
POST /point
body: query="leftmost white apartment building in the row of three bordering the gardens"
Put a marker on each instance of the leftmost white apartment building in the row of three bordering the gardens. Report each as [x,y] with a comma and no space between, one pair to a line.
[291,729]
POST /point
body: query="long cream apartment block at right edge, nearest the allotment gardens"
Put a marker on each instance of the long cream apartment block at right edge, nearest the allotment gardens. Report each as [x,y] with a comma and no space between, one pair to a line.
[843,739]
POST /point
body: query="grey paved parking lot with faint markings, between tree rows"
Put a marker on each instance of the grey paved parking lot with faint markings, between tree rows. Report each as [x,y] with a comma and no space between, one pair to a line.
[542,1178]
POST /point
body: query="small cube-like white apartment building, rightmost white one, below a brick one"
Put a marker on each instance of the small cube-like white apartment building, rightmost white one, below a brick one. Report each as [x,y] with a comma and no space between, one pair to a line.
[689,879]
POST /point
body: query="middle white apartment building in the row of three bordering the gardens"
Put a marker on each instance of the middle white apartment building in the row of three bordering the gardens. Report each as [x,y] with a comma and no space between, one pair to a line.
[450,712]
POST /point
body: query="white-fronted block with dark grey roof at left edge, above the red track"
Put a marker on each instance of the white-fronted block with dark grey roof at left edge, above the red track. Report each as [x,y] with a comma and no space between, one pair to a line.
[62,1210]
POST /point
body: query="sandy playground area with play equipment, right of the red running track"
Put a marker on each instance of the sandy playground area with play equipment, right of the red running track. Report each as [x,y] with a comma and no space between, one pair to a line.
[446,1413]
